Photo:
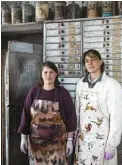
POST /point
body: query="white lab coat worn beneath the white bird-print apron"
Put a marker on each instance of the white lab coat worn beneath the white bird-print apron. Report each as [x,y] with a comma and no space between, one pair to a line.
[110,104]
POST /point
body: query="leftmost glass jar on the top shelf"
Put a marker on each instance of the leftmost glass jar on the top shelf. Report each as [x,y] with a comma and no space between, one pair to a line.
[6,14]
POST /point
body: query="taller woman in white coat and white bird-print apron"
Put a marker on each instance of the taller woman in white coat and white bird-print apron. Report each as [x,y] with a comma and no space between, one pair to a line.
[99,114]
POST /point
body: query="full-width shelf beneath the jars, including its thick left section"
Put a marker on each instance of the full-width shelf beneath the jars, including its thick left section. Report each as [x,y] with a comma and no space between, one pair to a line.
[37,27]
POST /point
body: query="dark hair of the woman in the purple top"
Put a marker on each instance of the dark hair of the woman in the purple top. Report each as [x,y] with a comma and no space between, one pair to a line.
[51,65]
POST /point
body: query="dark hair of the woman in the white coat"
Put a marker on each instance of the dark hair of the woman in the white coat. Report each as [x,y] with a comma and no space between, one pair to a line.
[97,55]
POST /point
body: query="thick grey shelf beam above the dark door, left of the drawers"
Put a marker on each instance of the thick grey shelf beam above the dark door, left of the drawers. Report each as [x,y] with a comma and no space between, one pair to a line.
[22,28]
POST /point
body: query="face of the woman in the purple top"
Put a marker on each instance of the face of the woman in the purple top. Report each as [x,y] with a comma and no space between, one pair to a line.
[48,75]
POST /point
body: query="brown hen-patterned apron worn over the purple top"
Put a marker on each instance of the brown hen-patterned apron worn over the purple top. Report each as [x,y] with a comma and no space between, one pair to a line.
[47,141]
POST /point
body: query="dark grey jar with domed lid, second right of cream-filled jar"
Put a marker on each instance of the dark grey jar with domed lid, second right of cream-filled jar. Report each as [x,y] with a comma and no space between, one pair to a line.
[73,10]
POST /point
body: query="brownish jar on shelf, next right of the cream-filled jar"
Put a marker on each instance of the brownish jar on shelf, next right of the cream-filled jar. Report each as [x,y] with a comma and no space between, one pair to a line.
[60,9]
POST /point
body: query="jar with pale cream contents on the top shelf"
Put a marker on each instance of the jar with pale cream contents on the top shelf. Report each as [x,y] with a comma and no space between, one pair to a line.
[41,11]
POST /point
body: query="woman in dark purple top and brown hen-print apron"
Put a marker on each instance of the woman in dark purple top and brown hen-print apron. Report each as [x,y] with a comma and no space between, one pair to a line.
[46,124]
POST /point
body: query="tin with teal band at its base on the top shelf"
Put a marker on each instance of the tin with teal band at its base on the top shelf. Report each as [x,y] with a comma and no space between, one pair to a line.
[107,8]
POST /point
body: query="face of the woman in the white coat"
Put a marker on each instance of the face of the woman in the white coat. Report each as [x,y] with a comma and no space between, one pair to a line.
[92,64]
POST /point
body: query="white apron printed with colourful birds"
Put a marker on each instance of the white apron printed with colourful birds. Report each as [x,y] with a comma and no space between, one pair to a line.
[93,130]
